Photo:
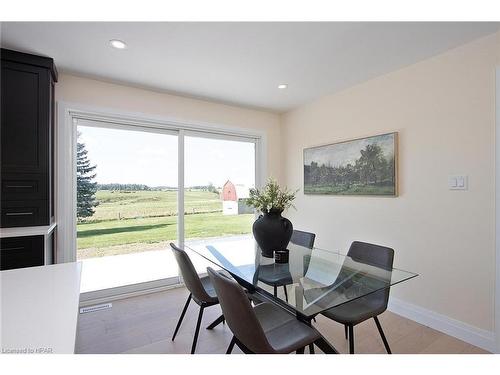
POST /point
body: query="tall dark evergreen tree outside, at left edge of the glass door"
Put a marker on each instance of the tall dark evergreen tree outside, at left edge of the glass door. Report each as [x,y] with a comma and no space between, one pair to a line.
[85,186]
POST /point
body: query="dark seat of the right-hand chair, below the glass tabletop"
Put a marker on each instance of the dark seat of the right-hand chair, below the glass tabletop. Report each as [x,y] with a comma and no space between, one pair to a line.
[357,311]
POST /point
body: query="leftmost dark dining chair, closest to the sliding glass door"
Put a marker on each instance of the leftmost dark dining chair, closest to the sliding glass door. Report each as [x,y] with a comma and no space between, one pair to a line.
[201,291]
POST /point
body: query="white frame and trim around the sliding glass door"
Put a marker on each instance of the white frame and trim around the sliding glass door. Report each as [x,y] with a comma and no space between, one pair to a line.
[65,189]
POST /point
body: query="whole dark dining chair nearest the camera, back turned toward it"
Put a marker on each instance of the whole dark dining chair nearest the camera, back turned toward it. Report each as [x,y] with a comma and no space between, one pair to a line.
[263,329]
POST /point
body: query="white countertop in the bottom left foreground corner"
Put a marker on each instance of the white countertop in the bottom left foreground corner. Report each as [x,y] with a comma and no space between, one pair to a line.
[39,308]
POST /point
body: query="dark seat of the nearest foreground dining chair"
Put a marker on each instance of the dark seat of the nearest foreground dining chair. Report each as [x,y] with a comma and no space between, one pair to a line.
[284,332]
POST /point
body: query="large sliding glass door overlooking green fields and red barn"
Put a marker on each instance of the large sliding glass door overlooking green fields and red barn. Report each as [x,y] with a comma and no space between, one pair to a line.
[128,206]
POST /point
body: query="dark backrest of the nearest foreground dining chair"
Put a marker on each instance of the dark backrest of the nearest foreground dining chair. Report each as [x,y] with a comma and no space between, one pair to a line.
[239,314]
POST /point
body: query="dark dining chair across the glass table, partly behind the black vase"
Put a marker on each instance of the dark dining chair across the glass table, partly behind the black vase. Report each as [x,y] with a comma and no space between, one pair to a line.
[277,275]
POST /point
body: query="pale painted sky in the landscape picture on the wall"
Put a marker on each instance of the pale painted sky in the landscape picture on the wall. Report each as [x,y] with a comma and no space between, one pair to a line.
[340,154]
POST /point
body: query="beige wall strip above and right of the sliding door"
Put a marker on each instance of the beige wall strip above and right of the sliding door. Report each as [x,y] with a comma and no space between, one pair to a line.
[91,92]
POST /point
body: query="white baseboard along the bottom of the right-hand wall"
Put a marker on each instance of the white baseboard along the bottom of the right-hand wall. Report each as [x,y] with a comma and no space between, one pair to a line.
[452,327]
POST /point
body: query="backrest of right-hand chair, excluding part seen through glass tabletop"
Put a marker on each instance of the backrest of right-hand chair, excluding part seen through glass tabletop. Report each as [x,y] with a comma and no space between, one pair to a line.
[378,256]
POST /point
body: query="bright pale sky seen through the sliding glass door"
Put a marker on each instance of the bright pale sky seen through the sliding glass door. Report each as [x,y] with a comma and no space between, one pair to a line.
[125,156]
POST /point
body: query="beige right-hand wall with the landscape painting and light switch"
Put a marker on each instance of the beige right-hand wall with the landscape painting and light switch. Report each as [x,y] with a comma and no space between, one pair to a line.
[443,109]
